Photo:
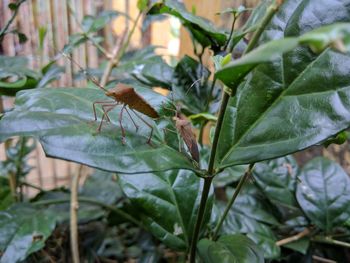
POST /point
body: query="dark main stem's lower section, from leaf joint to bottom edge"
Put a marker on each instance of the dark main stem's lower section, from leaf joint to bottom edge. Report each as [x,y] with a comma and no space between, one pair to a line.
[201,212]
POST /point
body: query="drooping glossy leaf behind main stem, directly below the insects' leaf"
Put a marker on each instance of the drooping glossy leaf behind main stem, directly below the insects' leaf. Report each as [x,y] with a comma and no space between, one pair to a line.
[167,204]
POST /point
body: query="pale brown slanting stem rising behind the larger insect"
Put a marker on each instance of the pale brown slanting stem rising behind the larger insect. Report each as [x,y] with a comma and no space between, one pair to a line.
[119,52]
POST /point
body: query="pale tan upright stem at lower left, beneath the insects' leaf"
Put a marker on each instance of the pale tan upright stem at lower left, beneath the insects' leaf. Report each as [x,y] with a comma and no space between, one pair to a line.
[74,206]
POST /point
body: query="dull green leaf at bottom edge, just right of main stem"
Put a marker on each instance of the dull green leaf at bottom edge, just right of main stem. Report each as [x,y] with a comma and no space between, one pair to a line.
[230,248]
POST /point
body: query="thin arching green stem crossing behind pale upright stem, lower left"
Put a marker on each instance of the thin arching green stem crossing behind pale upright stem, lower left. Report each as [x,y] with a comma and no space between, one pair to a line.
[116,210]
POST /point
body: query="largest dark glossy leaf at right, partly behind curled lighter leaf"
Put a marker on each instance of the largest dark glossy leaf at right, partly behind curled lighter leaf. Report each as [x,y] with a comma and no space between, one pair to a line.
[298,100]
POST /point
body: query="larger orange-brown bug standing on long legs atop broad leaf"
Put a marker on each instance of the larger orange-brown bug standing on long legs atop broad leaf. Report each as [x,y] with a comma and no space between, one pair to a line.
[123,95]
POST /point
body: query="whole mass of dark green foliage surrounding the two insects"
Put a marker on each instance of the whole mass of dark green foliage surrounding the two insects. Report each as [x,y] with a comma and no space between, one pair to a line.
[290,92]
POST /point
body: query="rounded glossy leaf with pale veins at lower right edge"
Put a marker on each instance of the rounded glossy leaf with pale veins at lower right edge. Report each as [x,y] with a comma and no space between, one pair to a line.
[324,193]
